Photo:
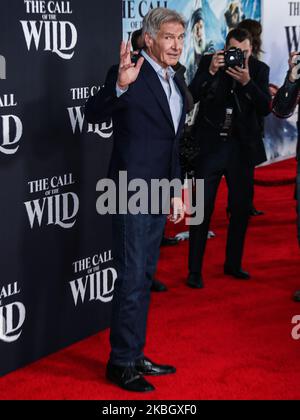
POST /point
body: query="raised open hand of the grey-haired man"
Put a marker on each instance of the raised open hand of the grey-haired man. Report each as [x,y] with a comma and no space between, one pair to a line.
[128,71]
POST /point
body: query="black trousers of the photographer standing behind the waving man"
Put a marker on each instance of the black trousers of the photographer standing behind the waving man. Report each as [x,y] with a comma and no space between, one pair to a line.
[230,161]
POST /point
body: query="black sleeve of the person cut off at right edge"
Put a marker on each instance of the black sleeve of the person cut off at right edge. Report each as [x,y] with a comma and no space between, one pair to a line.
[286,99]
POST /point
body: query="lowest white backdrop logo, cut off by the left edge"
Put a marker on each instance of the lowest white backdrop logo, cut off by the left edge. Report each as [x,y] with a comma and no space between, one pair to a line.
[12,314]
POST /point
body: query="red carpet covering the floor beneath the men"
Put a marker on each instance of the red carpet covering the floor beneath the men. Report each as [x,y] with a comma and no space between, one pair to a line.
[231,340]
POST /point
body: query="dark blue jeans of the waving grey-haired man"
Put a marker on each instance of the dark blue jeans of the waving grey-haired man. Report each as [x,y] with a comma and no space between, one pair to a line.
[136,251]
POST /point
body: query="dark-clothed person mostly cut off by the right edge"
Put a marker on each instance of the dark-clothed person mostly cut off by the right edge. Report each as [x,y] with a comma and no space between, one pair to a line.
[284,105]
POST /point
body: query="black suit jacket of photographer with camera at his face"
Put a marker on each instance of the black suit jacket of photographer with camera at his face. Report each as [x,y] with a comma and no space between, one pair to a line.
[254,104]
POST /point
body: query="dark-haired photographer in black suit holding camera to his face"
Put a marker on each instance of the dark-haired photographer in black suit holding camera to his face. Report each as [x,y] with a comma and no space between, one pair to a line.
[228,128]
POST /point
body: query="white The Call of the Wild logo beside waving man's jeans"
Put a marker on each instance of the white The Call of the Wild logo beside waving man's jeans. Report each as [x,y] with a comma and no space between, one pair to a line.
[93,283]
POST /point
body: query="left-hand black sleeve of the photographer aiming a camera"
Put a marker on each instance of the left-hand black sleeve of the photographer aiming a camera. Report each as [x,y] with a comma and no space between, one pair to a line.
[203,80]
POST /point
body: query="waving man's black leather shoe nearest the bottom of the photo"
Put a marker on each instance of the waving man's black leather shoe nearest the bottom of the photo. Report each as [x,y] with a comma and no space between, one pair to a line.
[127,378]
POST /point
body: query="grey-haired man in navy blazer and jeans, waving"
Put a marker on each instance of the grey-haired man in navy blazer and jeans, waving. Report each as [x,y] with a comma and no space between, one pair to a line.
[147,105]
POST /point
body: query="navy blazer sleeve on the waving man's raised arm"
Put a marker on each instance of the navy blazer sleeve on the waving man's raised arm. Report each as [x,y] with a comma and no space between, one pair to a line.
[100,107]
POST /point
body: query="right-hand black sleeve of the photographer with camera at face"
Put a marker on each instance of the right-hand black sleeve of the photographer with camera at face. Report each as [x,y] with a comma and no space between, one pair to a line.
[257,92]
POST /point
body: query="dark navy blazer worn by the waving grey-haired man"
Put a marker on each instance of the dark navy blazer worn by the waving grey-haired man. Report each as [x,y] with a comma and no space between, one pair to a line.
[145,142]
